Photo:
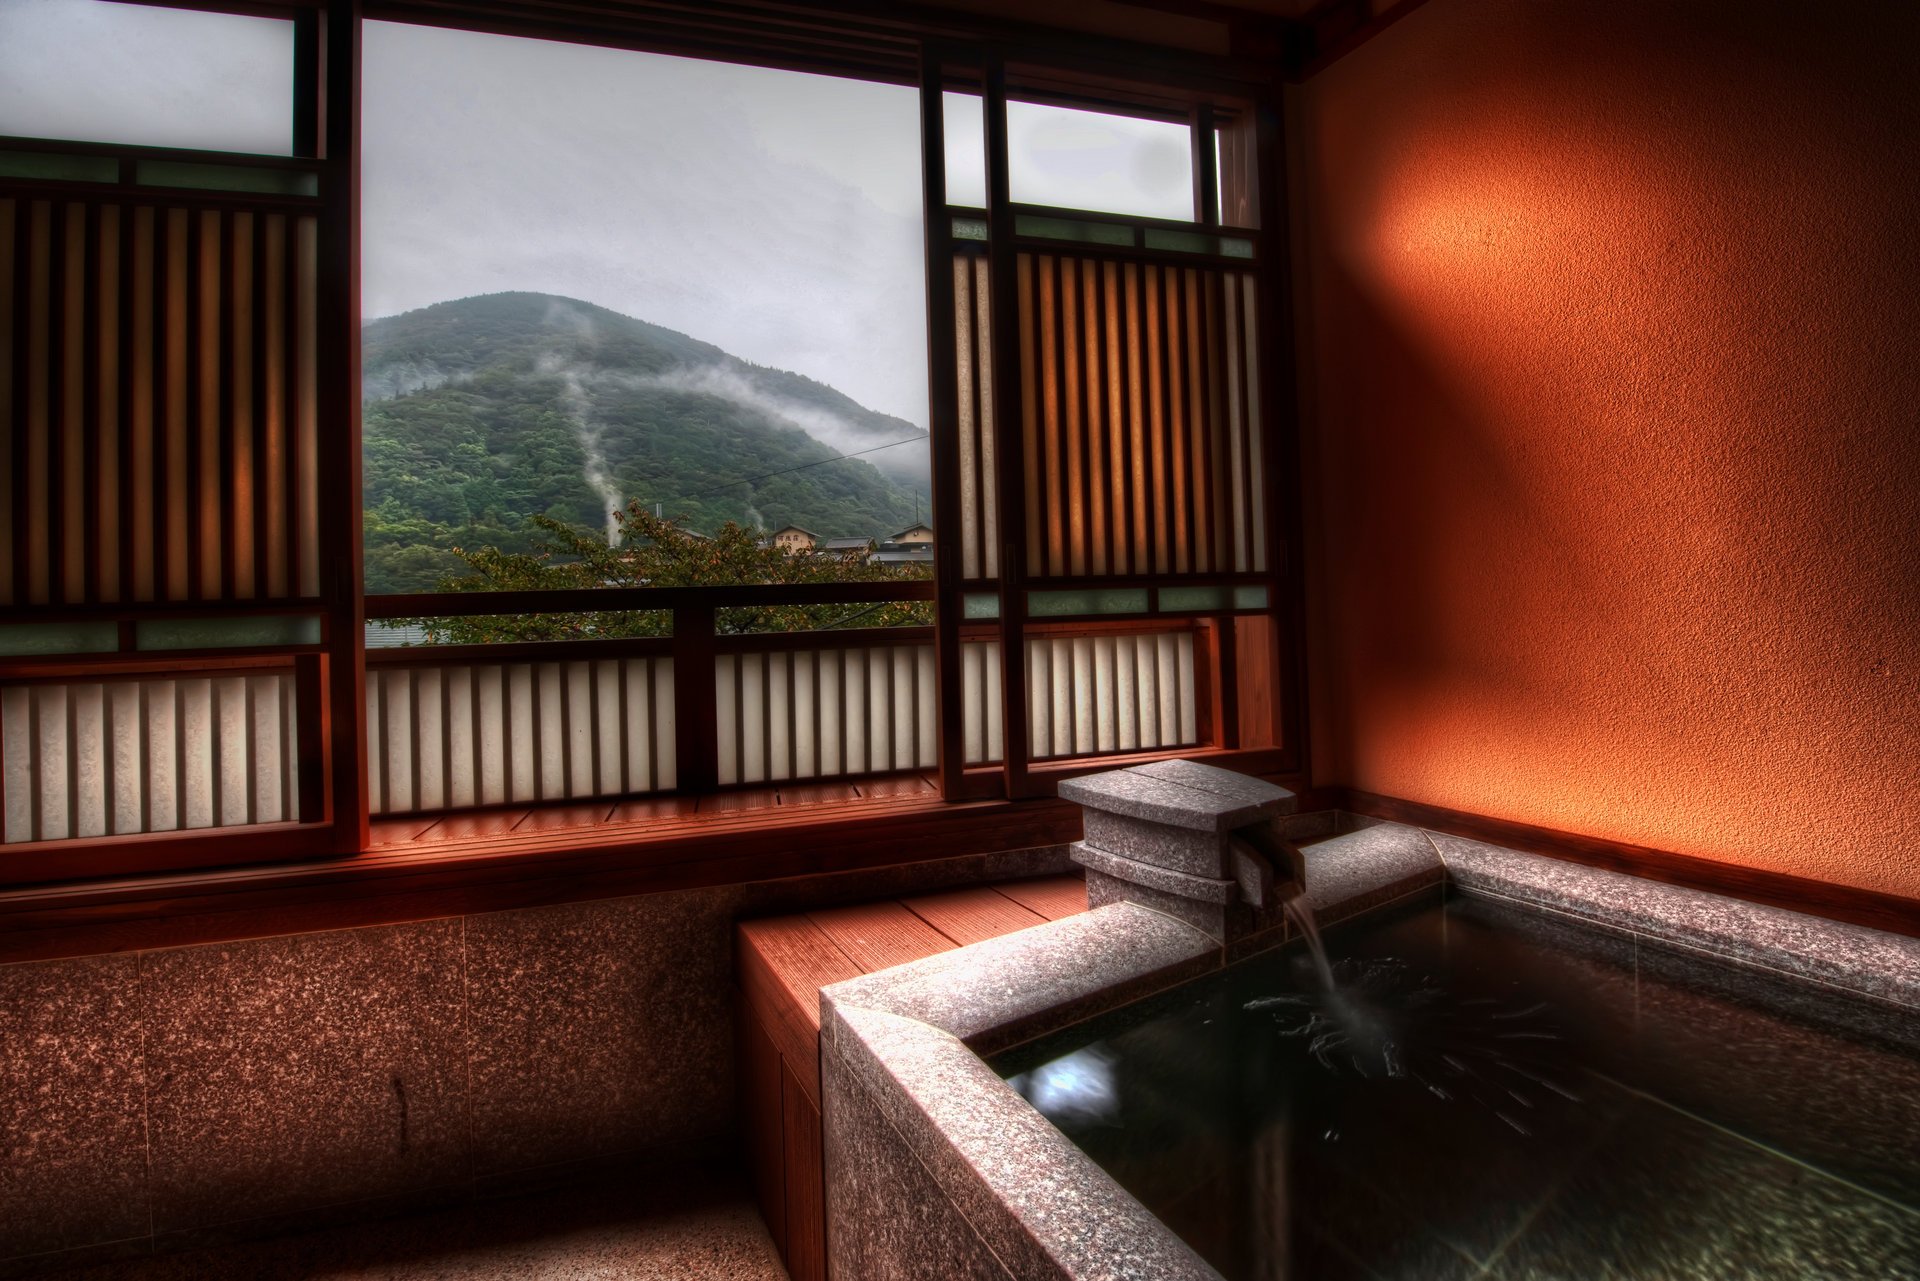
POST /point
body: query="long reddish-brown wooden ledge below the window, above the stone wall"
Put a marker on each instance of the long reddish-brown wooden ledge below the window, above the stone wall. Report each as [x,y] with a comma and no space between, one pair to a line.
[487,861]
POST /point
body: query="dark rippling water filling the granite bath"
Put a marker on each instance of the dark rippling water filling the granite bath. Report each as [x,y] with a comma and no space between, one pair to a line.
[1464,1088]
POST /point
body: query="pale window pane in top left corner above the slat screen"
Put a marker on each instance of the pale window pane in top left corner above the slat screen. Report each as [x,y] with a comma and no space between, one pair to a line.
[99,72]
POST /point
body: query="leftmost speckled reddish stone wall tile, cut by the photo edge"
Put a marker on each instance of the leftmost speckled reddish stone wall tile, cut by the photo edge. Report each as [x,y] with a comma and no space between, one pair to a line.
[72,1105]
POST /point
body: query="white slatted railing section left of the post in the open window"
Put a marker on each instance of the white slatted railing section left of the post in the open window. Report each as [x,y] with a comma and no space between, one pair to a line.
[517,733]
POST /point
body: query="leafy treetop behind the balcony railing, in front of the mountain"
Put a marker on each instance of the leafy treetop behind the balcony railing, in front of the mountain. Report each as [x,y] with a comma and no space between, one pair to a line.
[661,554]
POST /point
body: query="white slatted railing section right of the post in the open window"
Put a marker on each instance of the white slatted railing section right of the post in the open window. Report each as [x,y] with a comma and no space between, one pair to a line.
[827,713]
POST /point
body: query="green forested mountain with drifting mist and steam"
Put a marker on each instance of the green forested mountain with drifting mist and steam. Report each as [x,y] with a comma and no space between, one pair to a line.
[487,412]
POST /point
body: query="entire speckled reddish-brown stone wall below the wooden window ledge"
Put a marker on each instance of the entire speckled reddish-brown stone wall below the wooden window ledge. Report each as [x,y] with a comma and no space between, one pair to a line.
[235,1090]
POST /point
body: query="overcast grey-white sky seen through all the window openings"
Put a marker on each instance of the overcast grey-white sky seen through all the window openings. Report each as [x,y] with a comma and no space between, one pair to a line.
[767,212]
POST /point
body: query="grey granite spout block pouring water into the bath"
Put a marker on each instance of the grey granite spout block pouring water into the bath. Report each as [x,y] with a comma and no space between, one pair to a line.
[1189,840]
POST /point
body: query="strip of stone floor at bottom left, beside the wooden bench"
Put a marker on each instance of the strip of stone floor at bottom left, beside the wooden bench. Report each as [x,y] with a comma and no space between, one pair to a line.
[702,1230]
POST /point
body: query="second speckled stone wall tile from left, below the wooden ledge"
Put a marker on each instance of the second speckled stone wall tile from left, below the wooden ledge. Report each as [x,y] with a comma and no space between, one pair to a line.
[299,1073]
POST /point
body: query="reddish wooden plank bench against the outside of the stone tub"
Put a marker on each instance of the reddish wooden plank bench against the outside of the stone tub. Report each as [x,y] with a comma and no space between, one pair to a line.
[782,965]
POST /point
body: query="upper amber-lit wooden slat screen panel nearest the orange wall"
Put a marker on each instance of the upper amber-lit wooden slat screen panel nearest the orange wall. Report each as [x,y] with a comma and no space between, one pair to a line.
[1140,418]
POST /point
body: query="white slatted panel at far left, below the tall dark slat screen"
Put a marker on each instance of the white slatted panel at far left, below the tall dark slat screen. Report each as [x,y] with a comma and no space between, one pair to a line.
[118,758]
